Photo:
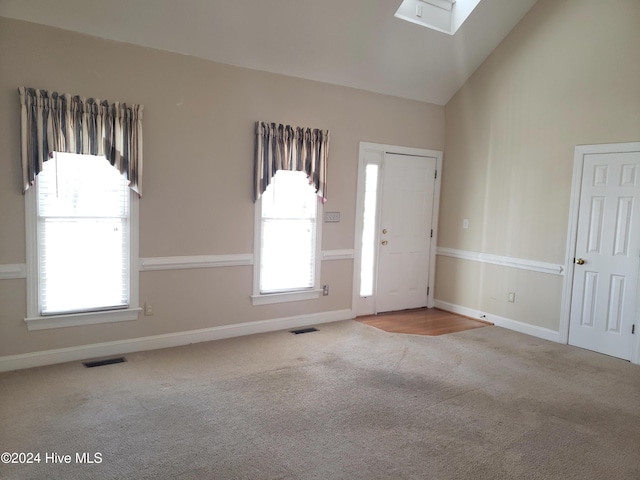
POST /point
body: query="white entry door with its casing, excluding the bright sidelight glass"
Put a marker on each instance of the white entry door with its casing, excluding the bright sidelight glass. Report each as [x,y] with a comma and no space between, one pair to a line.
[410,270]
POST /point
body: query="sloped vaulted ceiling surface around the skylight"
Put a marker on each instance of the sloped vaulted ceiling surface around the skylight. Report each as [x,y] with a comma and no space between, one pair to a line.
[354,43]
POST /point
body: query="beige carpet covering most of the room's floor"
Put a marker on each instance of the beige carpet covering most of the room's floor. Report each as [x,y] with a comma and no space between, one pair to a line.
[346,402]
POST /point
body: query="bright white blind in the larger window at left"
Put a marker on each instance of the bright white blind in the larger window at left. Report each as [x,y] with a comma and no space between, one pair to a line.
[83,235]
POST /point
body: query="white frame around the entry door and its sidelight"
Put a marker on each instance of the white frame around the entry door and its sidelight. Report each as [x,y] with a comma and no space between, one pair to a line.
[380,150]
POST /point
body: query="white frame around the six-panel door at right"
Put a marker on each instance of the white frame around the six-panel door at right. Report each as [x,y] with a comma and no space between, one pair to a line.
[581,151]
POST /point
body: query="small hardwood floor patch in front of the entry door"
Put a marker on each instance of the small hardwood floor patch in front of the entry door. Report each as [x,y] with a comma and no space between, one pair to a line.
[422,321]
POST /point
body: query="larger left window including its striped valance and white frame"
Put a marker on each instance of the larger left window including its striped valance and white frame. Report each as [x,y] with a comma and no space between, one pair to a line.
[82,178]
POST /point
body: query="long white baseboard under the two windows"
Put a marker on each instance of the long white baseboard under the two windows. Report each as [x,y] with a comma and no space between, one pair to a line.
[97,350]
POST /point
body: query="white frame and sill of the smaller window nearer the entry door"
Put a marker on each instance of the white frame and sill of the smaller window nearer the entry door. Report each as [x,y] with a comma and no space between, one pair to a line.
[315,292]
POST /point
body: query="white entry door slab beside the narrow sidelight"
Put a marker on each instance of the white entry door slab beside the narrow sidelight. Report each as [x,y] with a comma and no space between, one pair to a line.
[406,211]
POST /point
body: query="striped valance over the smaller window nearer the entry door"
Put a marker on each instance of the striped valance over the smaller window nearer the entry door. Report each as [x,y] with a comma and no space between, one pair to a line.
[283,147]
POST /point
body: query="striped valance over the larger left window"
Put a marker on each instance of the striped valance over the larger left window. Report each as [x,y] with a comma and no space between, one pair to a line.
[53,122]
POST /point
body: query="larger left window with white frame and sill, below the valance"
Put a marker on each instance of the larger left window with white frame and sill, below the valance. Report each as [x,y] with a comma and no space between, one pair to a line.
[82,220]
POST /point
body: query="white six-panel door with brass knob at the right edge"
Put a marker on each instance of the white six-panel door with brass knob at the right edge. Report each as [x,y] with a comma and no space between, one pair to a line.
[605,278]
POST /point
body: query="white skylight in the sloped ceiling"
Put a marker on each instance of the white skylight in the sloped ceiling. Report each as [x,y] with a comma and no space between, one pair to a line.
[445,16]
